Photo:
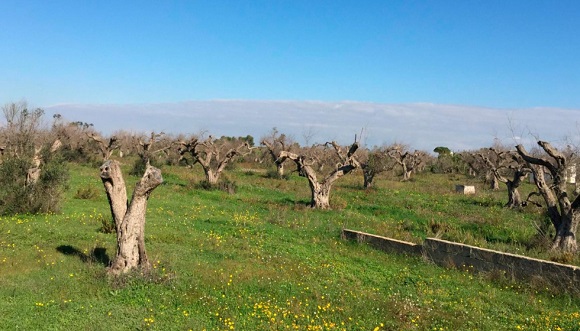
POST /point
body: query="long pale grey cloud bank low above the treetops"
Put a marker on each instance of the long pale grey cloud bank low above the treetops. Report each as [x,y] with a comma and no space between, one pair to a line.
[420,125]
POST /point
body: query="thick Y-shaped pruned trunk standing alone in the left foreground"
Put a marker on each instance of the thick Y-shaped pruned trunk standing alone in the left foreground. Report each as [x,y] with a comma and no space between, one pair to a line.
[129,219]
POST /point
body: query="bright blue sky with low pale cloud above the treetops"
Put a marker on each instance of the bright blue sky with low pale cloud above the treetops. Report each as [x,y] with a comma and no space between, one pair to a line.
[502,56]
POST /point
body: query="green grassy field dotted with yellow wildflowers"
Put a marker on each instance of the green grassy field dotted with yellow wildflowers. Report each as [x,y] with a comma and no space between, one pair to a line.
[261,260]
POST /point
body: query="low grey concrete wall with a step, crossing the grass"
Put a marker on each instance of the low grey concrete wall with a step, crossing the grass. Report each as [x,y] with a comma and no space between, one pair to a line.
[454,255]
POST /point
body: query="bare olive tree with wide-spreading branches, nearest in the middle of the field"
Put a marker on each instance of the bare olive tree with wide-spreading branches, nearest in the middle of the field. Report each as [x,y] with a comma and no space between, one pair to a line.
[312,163]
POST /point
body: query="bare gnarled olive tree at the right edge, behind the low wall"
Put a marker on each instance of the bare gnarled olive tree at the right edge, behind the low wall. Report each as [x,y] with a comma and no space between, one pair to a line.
[564,213]
